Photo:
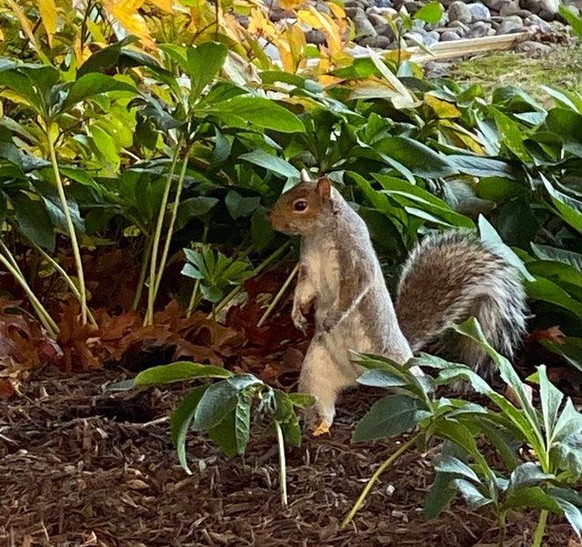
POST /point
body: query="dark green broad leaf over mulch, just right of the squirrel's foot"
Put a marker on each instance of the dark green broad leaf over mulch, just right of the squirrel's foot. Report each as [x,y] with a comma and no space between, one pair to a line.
[390,416]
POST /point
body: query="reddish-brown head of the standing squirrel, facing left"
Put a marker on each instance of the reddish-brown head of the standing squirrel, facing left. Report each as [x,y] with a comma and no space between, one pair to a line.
[306,208]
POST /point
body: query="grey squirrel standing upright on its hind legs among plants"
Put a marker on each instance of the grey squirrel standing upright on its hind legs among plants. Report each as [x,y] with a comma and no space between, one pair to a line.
[446,279]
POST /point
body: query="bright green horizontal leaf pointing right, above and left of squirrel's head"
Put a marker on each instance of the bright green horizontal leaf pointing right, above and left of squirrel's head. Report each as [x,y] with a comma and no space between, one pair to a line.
[257,113]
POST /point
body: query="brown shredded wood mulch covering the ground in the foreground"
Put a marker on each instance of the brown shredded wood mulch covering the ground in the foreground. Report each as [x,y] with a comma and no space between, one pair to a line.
[82,466]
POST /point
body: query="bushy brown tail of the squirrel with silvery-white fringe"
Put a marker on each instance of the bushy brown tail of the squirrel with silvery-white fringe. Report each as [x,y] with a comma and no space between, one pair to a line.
[450,277]
